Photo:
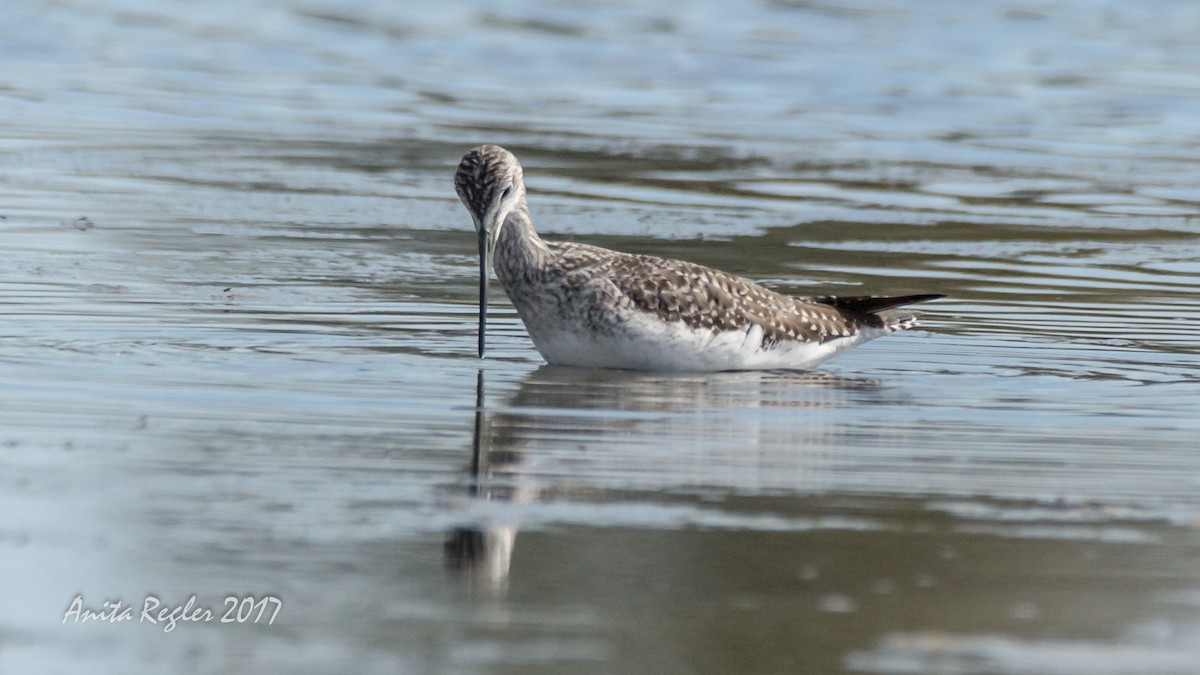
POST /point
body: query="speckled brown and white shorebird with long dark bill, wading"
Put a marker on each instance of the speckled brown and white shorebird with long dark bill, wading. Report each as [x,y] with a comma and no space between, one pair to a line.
[596,308]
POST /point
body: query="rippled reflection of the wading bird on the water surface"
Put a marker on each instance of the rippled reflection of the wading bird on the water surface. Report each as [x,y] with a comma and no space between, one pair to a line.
[759,431]
